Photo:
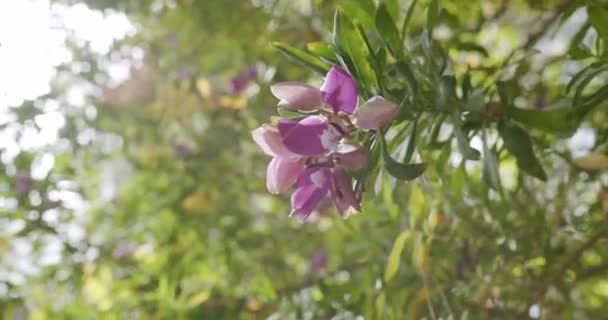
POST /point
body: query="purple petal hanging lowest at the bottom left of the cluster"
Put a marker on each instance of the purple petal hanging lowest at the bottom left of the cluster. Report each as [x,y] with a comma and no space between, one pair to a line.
[313,185]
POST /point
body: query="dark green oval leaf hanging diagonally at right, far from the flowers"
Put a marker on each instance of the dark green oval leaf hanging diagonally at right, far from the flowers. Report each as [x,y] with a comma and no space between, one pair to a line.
[519,144]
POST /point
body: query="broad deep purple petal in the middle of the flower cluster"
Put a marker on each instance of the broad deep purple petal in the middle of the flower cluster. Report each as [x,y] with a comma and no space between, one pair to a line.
[311,136]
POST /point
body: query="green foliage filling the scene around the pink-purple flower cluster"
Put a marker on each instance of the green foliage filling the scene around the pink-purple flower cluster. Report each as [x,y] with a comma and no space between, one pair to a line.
[507,221]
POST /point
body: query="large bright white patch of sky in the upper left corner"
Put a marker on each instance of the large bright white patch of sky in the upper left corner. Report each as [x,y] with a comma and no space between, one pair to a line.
[31,43]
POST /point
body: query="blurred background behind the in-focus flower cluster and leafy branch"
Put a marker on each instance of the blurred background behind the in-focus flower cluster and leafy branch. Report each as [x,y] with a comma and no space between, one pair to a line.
[130,187]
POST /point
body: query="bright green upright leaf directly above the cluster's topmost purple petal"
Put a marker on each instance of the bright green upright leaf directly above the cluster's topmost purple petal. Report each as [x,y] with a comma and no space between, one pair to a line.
[351,44]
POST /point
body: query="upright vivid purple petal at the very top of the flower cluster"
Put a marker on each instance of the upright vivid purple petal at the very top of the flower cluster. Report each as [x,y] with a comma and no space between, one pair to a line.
[340,91]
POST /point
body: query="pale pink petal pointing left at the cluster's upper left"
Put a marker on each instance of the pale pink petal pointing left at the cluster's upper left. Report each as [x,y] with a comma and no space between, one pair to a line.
[297,96]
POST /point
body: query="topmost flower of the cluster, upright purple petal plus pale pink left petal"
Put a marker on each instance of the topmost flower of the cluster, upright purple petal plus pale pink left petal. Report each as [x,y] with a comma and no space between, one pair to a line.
[338,91]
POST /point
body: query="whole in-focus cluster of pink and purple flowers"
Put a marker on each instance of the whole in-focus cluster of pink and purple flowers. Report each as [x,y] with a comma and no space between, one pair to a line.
[316,153]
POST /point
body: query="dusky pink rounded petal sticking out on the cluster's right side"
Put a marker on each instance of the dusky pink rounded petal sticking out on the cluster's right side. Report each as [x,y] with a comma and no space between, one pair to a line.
[375,113]
